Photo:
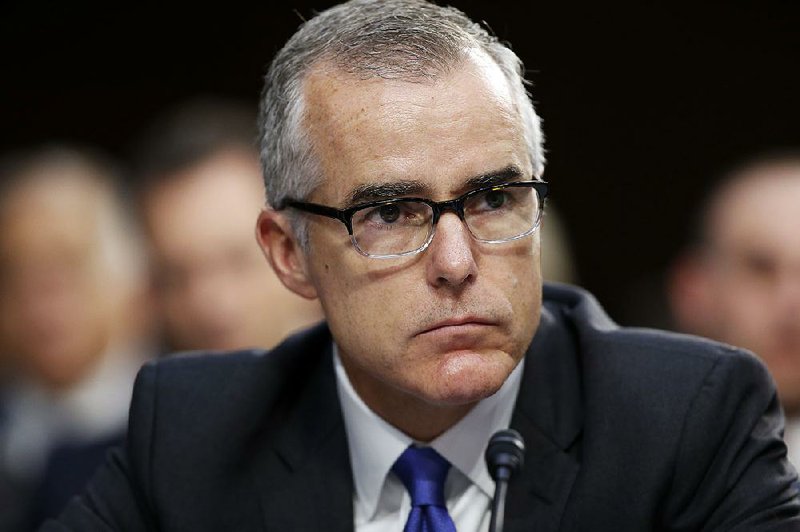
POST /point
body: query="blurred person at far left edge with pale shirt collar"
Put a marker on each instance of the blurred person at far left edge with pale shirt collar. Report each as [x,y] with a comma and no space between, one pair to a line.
[72,325]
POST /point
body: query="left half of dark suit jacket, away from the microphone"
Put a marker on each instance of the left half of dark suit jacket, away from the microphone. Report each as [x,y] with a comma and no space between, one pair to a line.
[243,441]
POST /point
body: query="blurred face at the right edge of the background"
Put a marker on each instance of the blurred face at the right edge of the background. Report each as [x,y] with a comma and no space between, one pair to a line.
[756,275]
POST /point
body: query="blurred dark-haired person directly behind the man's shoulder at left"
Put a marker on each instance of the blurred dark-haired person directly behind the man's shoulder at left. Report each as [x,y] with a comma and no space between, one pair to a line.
[200,192]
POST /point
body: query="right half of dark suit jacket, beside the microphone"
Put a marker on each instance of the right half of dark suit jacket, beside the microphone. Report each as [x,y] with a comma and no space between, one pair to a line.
[652,430]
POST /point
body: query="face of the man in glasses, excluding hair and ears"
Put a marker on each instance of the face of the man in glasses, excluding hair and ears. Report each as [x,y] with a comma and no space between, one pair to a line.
[448,325]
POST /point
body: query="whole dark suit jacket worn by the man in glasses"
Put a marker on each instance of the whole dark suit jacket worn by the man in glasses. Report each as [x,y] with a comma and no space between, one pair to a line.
[625,430]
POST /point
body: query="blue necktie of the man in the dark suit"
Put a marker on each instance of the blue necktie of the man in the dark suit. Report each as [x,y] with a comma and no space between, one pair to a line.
[422,470]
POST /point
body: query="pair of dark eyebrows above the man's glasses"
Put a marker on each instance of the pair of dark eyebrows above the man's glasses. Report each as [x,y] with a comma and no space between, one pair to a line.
[380,191]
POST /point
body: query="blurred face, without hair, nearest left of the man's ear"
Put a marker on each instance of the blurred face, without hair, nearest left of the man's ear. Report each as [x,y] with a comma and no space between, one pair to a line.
[213,286]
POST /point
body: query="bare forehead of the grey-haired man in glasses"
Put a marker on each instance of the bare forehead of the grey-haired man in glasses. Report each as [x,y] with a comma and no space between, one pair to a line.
[440,132]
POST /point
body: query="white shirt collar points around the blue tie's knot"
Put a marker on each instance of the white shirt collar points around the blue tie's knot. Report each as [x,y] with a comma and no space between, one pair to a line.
[375,444]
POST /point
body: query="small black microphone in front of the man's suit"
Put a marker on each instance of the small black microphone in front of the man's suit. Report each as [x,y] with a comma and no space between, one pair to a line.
[504,458]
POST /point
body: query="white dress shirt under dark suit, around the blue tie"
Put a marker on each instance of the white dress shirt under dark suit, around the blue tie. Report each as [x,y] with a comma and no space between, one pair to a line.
[381,502]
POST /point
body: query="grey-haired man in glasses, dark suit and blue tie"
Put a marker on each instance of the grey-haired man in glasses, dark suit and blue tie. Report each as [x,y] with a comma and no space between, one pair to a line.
[403,162]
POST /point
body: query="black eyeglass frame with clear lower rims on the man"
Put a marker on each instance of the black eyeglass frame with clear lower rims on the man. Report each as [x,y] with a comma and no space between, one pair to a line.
[455,205]
